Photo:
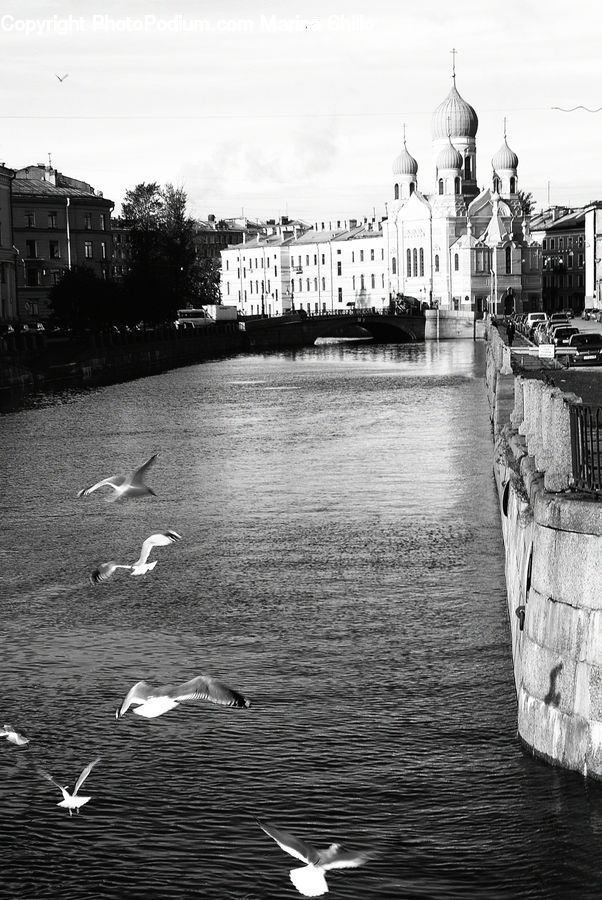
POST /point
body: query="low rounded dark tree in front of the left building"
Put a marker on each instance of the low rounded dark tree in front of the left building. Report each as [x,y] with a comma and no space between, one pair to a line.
[81,300]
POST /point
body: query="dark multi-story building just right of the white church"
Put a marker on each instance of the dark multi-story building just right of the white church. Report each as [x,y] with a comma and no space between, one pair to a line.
[561,233]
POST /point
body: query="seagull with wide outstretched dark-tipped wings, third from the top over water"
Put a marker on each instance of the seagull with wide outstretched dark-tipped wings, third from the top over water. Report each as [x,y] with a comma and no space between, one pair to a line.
[154,701]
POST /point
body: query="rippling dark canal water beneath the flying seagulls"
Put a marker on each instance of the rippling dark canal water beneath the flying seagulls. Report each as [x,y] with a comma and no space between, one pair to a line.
[342,566]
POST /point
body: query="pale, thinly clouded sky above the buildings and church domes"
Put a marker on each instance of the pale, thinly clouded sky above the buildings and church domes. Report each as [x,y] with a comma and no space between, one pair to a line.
[277,108]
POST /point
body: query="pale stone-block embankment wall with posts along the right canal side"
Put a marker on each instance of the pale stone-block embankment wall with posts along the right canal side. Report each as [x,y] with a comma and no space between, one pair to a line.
[553,543]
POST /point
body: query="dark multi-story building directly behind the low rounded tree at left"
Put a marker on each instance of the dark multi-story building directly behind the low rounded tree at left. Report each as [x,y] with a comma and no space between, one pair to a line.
[58,222]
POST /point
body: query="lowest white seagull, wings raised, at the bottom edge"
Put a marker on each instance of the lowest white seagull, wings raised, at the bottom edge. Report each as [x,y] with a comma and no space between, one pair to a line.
[309,879]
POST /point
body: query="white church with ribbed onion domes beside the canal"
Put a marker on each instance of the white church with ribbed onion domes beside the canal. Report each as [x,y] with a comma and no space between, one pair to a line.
[461,246]
